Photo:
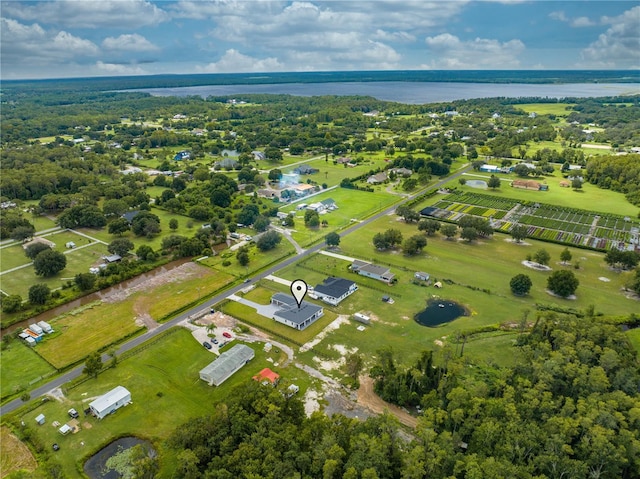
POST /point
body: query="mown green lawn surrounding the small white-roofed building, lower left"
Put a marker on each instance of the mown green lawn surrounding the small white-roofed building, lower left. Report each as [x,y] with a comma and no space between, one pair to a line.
[166,391]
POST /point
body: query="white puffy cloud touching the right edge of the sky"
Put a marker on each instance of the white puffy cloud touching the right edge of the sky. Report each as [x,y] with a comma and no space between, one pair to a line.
[619,46]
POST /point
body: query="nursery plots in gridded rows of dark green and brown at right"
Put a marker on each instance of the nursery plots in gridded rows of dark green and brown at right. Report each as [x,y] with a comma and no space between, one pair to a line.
[555,223]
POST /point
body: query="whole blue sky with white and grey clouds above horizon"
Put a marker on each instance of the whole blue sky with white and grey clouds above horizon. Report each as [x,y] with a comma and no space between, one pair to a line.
[80,38]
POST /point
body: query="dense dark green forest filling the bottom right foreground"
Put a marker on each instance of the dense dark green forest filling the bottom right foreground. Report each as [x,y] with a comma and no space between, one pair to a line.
[569,409]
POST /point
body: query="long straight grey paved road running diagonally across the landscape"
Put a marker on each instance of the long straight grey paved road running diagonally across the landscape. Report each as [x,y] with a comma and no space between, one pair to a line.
[77,371]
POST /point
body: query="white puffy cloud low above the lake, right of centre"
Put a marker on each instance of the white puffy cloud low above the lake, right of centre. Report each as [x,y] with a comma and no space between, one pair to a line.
[451,52]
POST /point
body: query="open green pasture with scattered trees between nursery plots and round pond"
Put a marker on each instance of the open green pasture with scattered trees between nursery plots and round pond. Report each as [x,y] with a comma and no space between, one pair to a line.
[491,263]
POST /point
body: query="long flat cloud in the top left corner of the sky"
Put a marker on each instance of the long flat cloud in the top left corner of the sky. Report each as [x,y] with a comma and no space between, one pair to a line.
[88,13]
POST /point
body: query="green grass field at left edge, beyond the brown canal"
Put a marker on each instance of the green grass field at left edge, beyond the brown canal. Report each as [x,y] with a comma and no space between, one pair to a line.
[78,261]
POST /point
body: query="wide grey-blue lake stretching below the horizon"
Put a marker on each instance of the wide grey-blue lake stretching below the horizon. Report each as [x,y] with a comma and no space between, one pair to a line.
[410,92]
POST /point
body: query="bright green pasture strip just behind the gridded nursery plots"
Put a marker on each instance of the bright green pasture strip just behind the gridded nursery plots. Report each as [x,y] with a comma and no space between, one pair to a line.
[590,197]
